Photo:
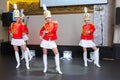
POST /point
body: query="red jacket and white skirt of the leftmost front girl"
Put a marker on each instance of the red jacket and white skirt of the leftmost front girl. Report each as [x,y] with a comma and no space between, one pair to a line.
[16,30]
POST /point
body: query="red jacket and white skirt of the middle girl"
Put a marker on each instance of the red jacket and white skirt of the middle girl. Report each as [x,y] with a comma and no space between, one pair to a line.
[49,30]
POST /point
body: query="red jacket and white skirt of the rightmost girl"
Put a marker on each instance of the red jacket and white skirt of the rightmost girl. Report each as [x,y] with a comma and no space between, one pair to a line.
[87,36]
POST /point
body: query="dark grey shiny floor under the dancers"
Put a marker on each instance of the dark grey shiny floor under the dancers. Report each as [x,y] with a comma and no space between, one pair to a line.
[72,70]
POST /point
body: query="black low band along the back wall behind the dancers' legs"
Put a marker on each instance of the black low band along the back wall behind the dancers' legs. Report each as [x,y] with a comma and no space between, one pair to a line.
[105,51]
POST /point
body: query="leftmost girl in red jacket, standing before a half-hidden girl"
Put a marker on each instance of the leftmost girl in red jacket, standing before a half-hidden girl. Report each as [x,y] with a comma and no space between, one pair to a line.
[16,31]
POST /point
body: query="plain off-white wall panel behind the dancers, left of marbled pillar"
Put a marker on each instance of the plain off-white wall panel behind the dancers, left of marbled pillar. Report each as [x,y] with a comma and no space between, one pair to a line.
[68,31]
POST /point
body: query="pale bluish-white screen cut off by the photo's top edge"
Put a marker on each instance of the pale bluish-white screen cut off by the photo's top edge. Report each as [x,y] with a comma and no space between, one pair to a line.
[71,2]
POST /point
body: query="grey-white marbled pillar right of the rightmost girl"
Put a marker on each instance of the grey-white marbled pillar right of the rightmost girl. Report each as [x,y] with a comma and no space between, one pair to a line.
[104,21]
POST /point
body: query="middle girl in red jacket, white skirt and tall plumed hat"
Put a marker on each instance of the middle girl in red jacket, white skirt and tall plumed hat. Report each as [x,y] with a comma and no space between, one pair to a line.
[49,30]
